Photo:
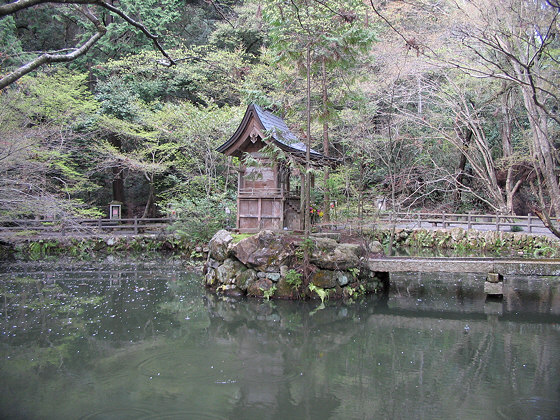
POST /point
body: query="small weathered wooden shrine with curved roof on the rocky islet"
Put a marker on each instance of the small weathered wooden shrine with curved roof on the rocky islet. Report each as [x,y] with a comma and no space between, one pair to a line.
[265,197]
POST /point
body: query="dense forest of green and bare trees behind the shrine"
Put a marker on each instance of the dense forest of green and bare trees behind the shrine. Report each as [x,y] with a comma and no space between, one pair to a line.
[441,105]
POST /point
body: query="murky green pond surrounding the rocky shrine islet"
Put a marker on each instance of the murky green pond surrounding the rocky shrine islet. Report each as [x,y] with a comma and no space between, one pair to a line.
[145,341]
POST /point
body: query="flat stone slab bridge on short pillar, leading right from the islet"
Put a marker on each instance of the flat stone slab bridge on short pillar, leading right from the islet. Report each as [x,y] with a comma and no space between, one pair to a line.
[494,268]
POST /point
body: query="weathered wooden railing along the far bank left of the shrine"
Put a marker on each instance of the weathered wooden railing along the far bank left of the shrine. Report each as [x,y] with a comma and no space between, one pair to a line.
[87,226]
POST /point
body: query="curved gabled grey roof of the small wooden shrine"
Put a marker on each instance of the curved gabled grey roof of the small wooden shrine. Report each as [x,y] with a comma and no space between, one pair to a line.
[267,124]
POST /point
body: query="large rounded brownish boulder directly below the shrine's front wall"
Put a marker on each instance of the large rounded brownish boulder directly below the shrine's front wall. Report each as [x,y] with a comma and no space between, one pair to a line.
[266,251]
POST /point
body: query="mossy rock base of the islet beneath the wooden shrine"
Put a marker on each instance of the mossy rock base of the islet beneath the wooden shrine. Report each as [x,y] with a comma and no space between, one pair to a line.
[270,265]
